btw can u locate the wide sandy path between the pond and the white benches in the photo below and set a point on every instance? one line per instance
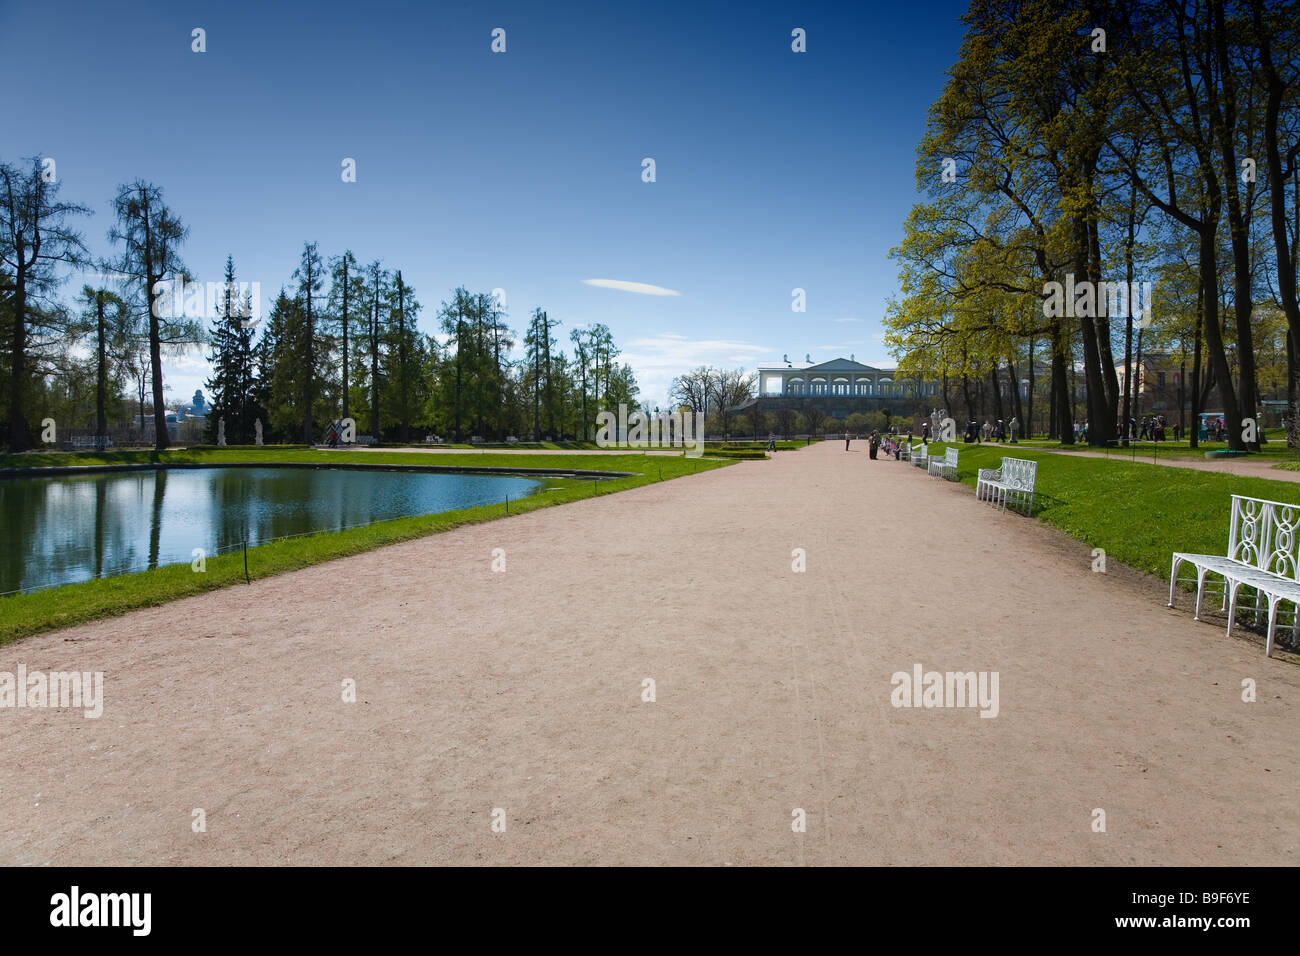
(523, 691)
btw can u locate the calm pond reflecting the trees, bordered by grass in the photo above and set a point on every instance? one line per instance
(73, 529)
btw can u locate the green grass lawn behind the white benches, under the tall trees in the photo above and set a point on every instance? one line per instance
(1139, 513)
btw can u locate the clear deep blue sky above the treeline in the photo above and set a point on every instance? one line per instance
(519, 171)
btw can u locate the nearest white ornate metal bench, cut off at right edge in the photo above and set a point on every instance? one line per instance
(1263, 553)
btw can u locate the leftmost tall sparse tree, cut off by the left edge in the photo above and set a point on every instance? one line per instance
(34, 237)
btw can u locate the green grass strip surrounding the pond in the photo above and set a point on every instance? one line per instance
(73, 604)
